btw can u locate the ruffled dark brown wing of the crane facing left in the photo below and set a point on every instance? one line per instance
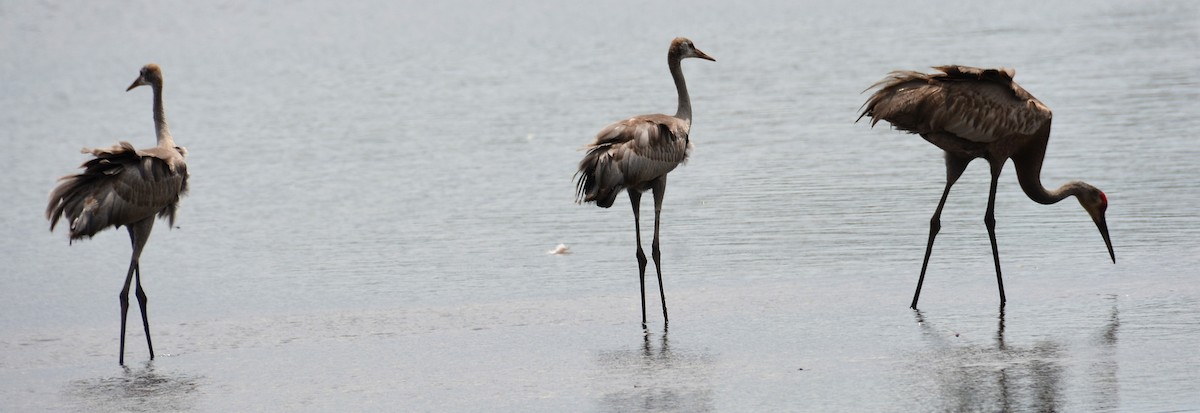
(122, 185)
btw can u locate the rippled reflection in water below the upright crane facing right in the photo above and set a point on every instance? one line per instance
(656, 378)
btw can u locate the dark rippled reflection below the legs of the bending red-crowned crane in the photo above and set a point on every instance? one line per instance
(994, 378)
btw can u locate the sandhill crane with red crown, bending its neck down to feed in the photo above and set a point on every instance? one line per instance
(970, 113)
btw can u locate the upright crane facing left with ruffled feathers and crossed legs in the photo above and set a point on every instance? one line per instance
(127, 187)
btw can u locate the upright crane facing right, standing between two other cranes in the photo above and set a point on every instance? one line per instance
(635, 155)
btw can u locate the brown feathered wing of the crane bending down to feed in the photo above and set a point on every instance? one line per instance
(973, 104)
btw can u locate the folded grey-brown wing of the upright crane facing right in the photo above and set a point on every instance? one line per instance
(632, 152)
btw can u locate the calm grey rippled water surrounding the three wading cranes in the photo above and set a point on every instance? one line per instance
(376, 184)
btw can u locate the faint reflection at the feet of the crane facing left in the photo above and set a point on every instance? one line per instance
(139, 391)
